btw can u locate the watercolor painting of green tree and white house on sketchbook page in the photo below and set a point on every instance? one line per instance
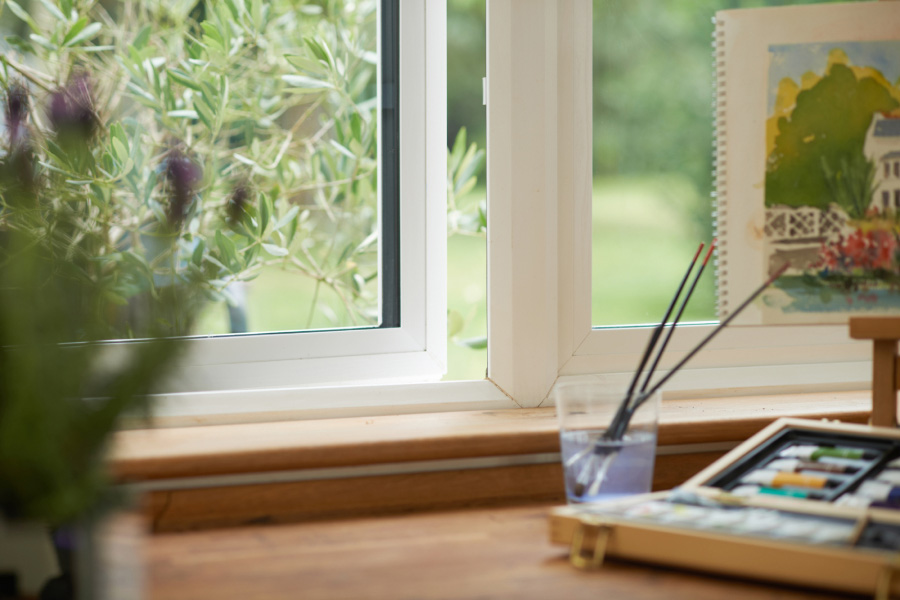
(832, 185)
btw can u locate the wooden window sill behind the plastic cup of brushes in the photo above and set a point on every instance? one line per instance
(264, 472)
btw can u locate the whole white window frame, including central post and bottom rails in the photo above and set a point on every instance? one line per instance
(539, 101)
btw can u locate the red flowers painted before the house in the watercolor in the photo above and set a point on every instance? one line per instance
(861, 252)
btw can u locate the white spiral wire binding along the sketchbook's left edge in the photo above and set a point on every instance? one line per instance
(720, 165)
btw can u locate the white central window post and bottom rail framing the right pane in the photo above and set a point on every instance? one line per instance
(543, 155)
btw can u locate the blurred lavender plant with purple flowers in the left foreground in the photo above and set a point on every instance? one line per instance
(60, 394)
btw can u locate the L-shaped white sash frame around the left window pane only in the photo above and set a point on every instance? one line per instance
(414, 351)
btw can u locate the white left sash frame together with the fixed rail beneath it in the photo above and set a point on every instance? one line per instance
(357, 372)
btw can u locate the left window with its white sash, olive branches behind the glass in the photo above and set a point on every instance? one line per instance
(195, 84)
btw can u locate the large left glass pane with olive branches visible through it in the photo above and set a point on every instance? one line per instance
(247, 133)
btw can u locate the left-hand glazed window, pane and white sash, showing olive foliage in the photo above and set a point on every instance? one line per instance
(265, 140)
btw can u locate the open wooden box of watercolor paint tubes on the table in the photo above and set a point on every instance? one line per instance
(810, 503)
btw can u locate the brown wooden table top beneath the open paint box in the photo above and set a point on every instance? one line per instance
(474, 553)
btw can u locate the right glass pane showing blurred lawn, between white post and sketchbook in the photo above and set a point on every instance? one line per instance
(652, 154)
